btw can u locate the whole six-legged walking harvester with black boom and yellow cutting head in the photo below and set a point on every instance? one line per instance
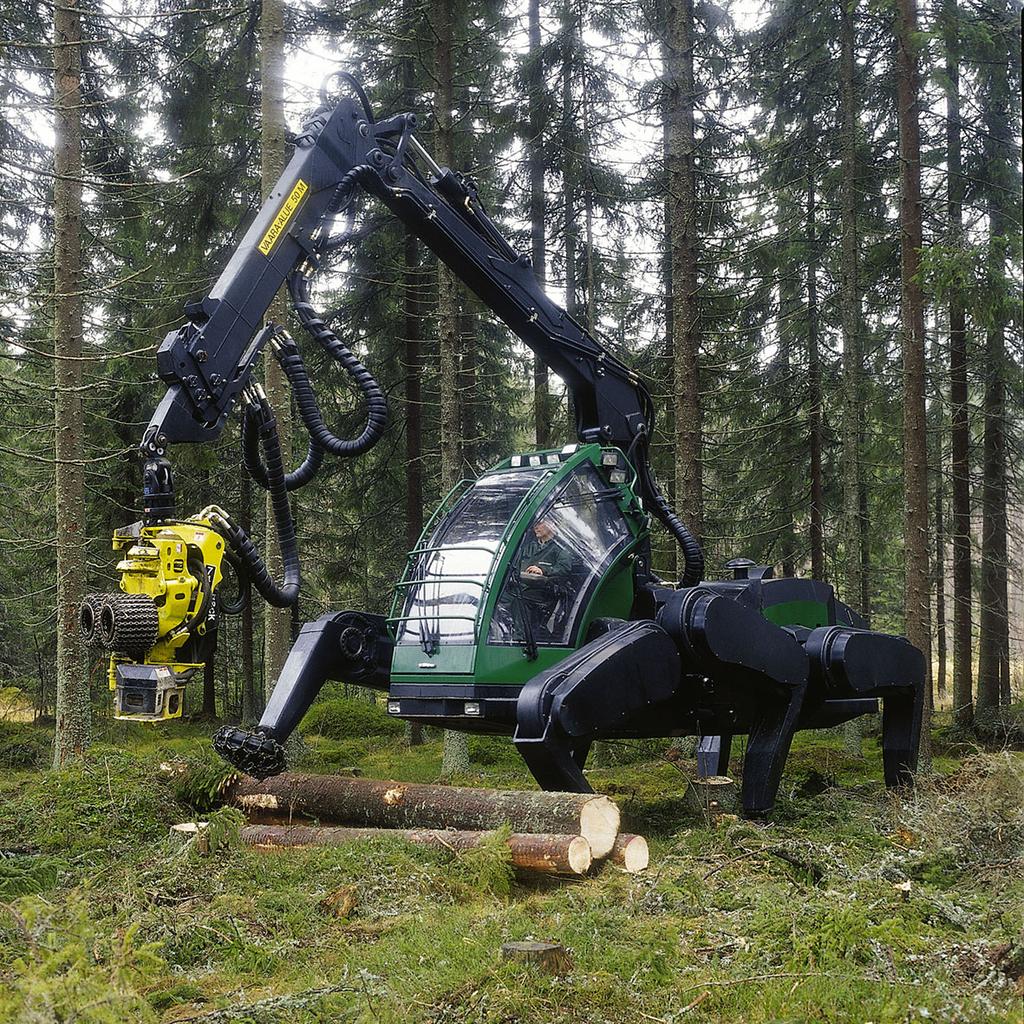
(529, 607)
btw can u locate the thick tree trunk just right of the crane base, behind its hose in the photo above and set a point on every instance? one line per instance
(684, 249)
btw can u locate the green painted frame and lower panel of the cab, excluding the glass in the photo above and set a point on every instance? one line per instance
(507, 664)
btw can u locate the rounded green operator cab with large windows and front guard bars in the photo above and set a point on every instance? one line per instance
(471, 625)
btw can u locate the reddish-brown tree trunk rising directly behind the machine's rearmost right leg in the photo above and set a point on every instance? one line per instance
(916, 547)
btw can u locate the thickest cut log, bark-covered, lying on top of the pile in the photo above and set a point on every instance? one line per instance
(410, 805)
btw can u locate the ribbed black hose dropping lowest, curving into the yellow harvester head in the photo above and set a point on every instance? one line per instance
(287, 593)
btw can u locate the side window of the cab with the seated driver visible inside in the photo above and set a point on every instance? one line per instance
(567, 549)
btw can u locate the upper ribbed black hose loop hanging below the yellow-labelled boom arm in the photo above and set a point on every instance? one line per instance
(291, 362)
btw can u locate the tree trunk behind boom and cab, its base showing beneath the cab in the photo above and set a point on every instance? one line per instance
(455, 758)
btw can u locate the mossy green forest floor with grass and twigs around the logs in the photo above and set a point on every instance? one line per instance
(854, 906)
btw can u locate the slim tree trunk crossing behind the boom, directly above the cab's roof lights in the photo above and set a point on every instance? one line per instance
(538, 228)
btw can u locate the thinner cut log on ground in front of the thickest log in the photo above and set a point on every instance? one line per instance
(547, 854)
